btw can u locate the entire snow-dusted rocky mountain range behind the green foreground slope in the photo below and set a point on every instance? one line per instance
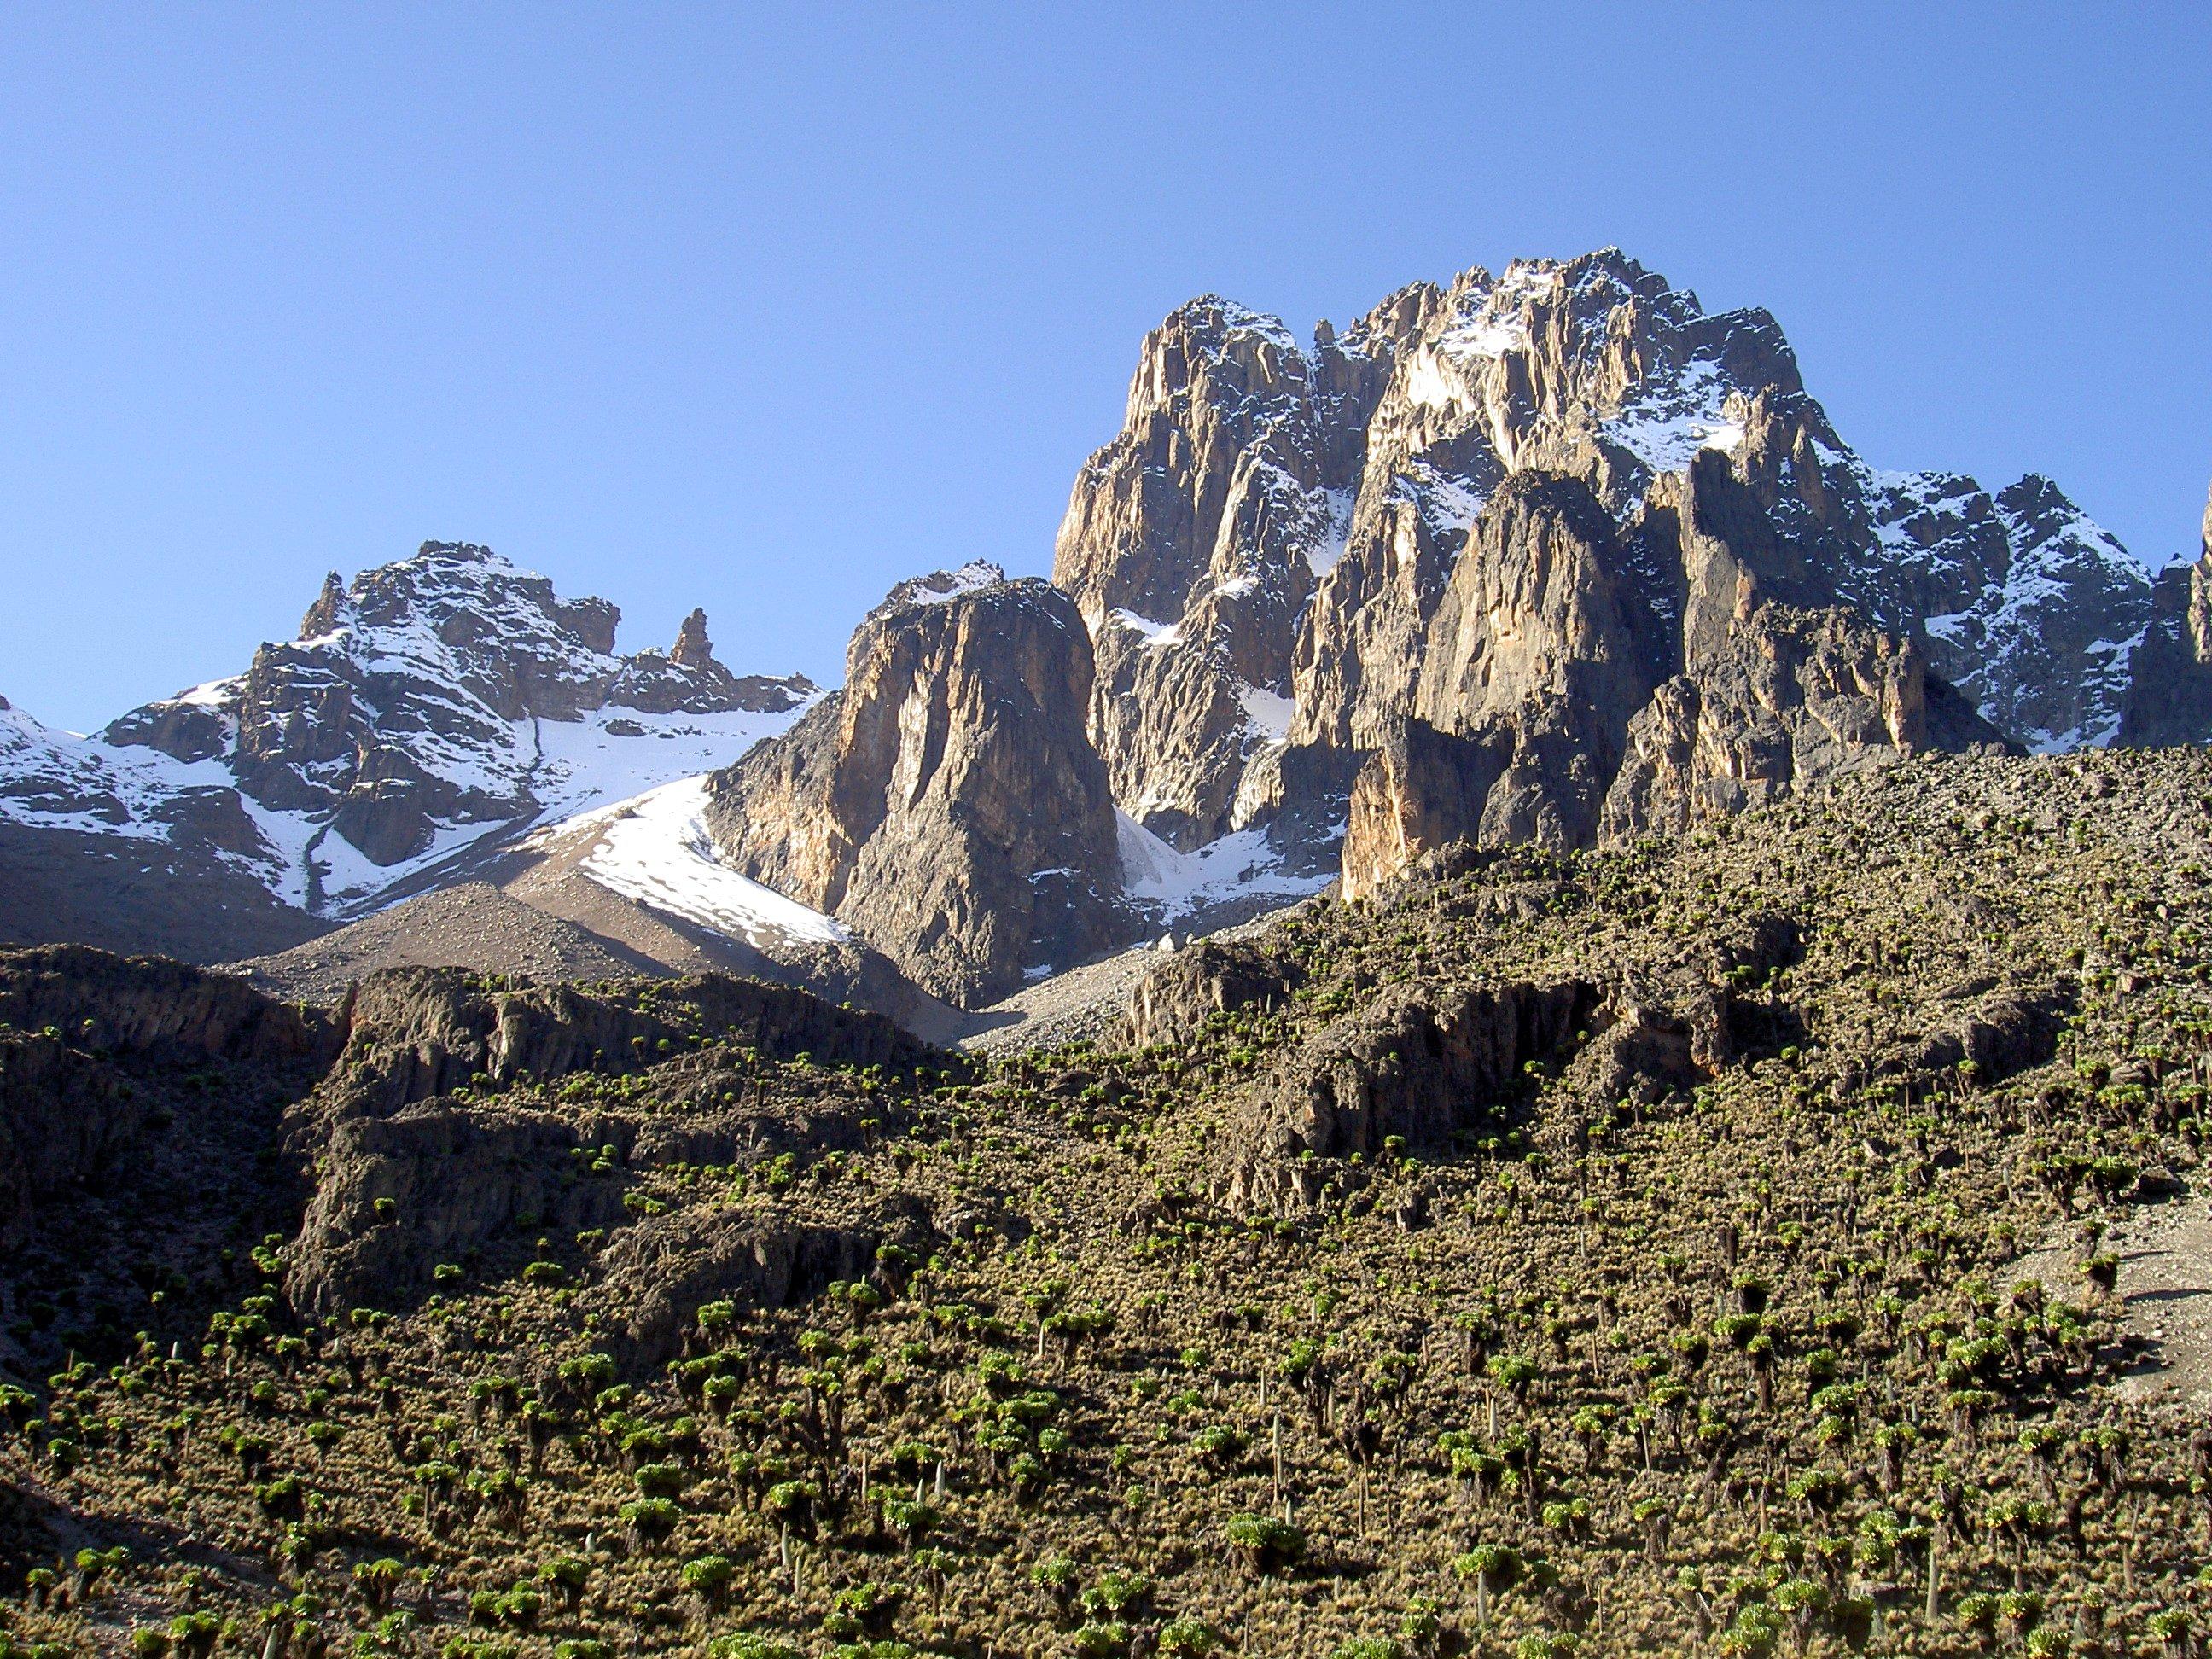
(1552, 556)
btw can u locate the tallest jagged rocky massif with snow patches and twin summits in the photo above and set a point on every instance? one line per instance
(1552, 556)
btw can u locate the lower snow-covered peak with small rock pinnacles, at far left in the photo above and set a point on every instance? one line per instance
(426, 707)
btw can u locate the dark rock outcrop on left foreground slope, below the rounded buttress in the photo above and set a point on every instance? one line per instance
(432, 1145)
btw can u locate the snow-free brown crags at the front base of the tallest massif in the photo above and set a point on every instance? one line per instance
(1558, 705)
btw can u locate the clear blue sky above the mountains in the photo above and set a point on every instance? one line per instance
(766, 309)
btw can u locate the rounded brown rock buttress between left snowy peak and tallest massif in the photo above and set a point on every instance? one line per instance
(946, 804)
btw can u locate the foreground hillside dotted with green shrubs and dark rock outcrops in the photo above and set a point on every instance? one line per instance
(1786, 1238)
